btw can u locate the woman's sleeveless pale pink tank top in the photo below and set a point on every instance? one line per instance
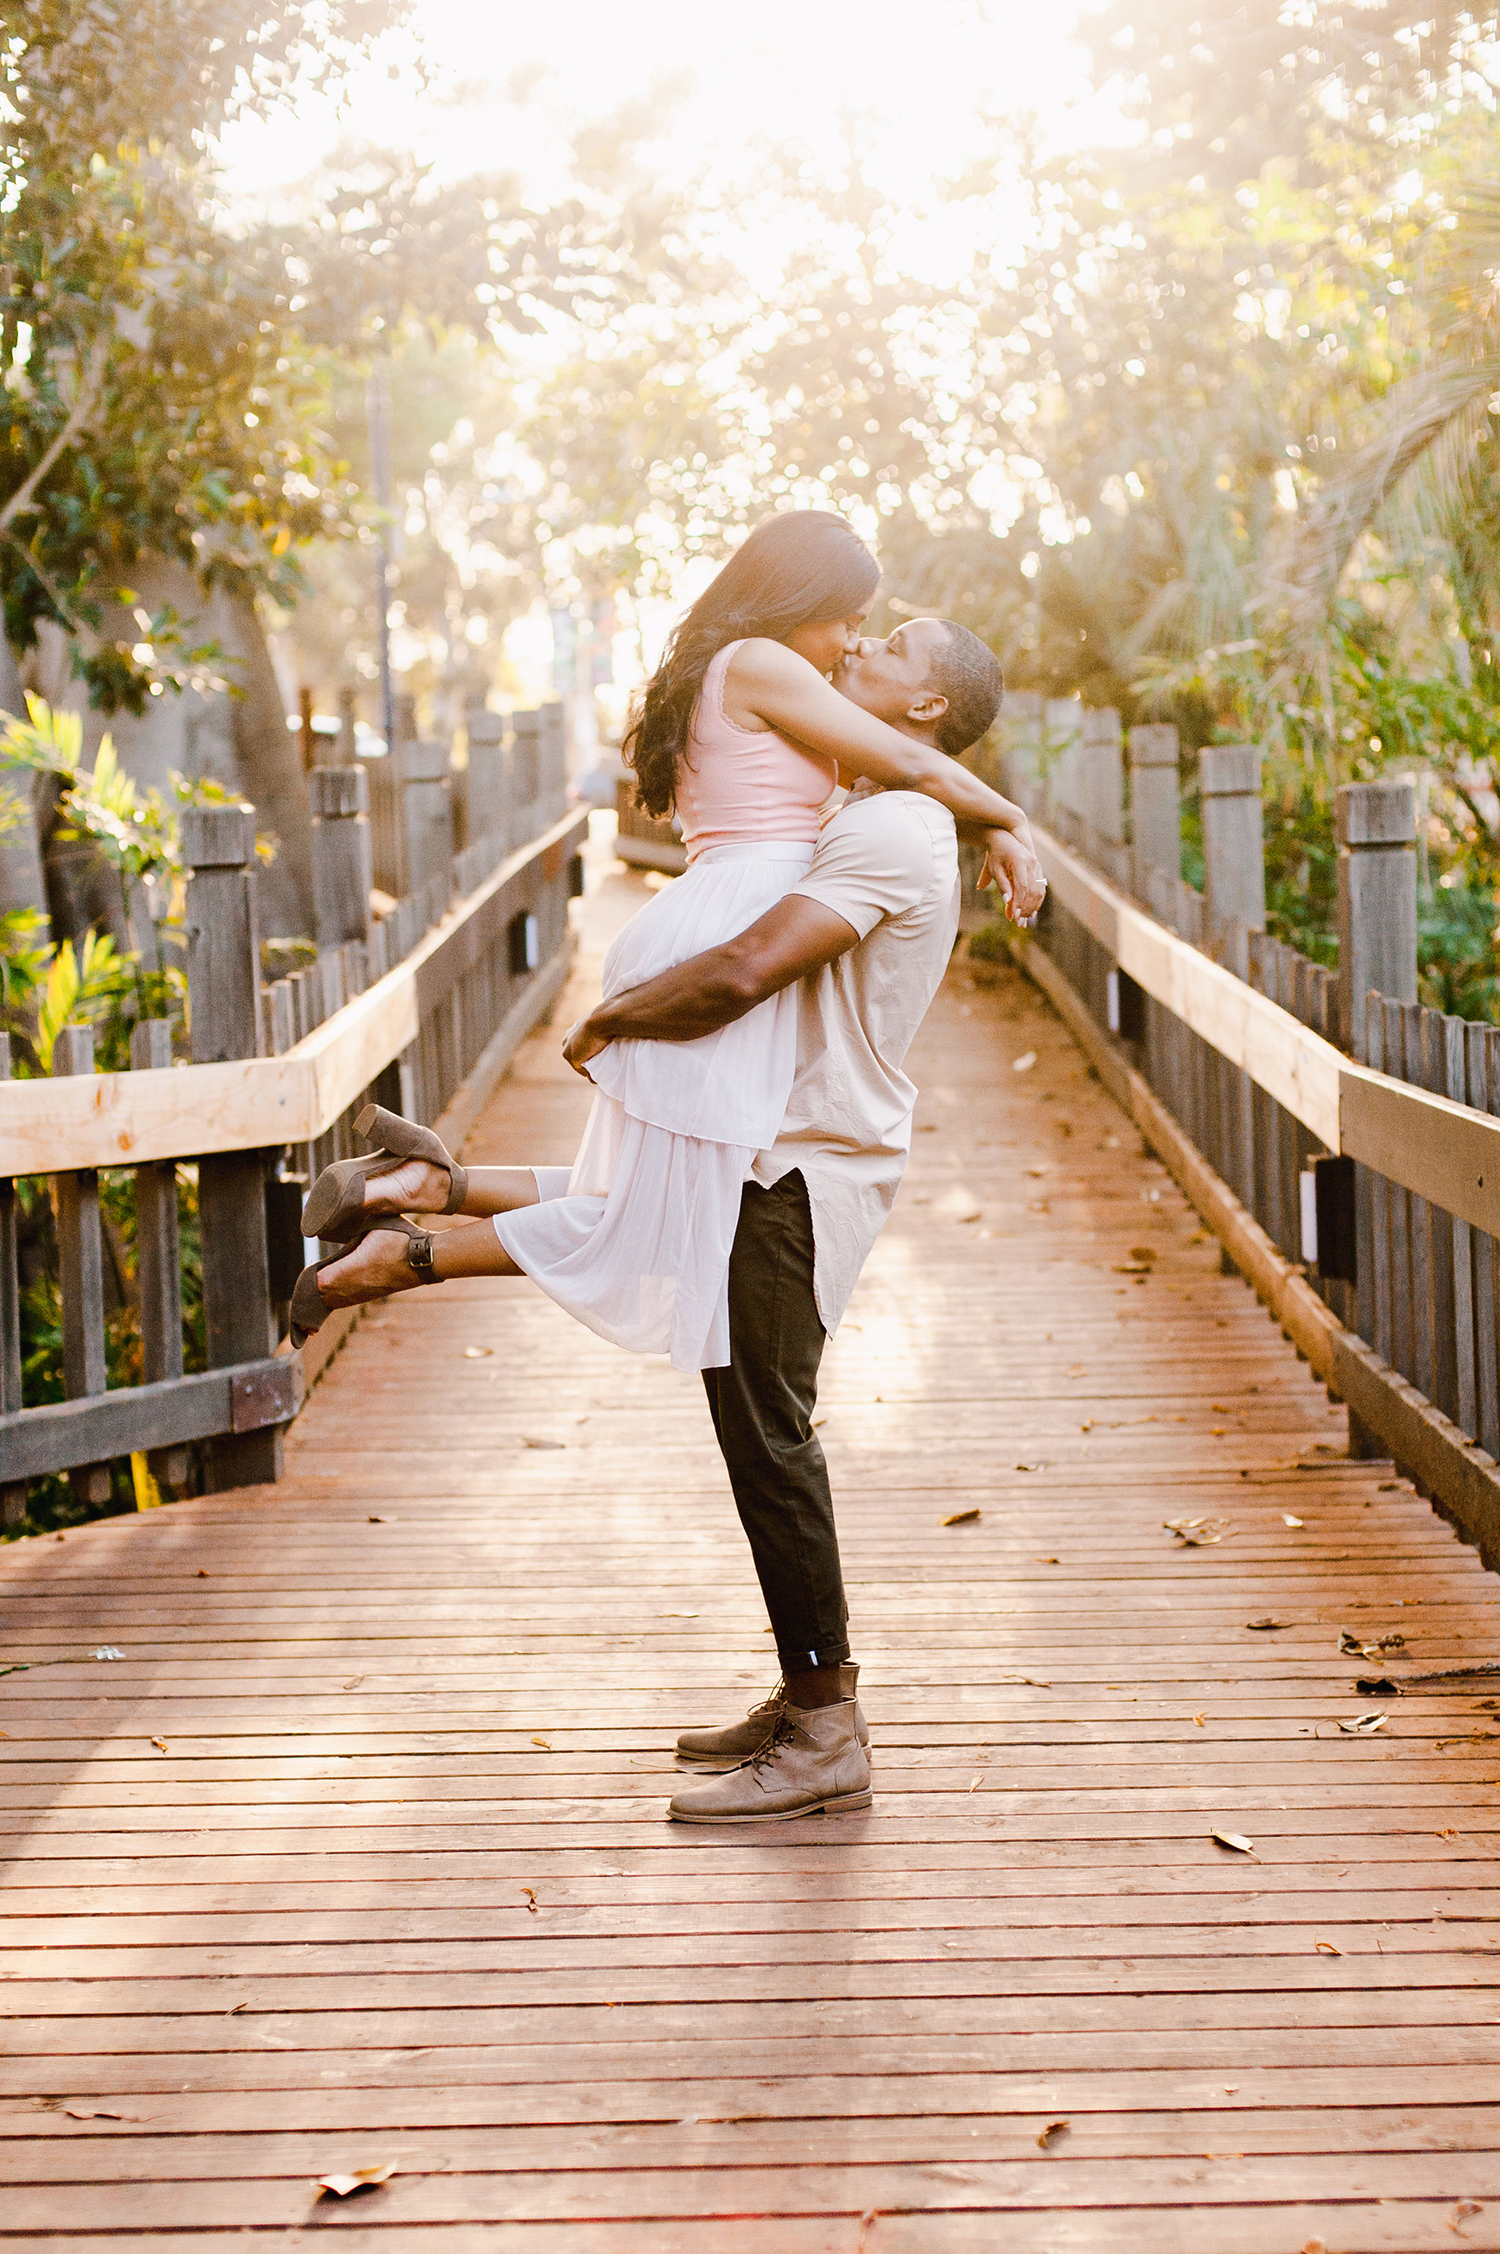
(743, 786)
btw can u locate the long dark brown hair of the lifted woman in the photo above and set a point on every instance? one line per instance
(795, 569)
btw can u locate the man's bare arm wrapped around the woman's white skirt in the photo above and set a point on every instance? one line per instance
(791, 941)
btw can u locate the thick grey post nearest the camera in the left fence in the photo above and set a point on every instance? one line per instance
(227, 1022)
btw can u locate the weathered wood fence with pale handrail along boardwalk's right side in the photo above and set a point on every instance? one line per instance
(1341, 1137)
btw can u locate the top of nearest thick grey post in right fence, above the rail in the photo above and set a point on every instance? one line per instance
(1375, 826)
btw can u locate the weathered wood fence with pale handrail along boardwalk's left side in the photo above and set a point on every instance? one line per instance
(400, 1009)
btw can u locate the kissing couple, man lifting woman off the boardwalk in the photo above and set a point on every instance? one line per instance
(752, 1117)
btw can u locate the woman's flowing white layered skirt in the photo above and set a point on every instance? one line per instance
(639, 1243)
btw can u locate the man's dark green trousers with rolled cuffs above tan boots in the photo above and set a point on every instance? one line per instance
(761, 1412)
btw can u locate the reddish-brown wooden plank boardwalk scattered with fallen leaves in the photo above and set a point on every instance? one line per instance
(355, 1856)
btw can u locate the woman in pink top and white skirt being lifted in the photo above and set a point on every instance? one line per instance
(745, 738)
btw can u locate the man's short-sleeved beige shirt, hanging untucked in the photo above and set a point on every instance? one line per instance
(890, 867)
